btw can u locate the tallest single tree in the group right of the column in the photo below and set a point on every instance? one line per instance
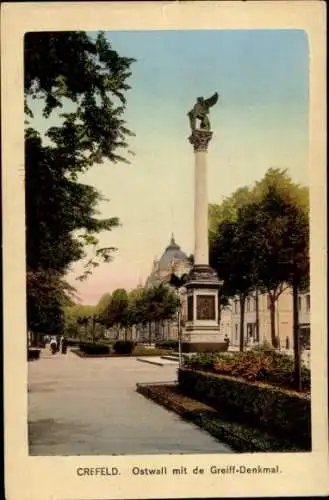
(278, 213)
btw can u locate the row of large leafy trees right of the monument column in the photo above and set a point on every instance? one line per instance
(259, 241)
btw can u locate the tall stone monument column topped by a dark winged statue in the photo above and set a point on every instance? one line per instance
(202, 327)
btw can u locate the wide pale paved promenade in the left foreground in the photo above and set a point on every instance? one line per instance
(90, 407)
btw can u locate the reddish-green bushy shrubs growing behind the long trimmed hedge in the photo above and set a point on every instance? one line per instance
(268, 366)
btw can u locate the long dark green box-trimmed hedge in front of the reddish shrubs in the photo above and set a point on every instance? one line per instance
(284, 413)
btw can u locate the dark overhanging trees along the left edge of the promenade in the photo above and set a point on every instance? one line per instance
(75, 90)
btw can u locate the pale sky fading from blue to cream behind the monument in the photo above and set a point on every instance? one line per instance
(260, 122)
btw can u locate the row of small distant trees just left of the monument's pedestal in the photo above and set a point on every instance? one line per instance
(121, 311)
